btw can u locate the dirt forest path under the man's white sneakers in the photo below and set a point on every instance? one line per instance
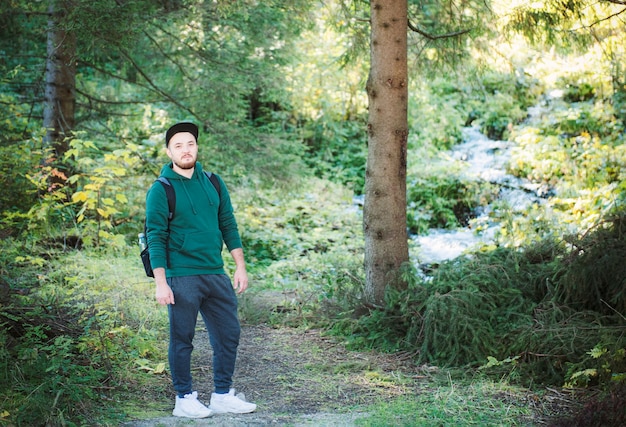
(295, 377)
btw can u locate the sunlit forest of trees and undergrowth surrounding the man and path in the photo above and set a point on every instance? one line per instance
(347, 132)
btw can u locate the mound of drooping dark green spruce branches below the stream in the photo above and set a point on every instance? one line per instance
(532, 314)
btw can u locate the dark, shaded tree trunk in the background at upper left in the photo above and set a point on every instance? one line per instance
(60, 92)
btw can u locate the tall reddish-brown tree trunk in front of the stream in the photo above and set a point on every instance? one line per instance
(384, 212)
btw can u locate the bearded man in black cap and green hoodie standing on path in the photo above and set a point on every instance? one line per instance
(186, 256)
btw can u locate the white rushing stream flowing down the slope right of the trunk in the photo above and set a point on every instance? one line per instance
(484, 160)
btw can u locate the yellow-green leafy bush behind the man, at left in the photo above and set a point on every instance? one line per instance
(86, 208)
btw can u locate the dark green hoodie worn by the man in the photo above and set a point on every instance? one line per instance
(197, 232)
